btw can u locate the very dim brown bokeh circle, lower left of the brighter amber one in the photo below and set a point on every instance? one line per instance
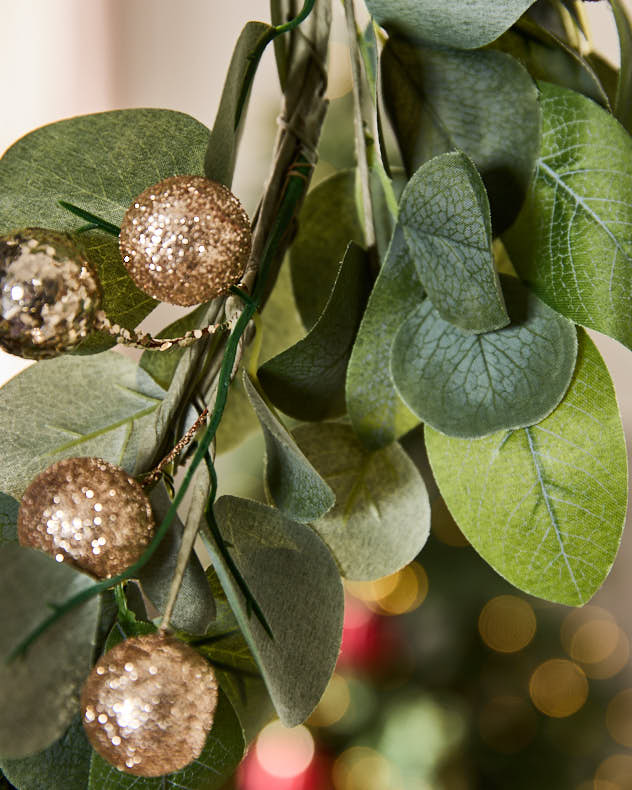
(507, 724)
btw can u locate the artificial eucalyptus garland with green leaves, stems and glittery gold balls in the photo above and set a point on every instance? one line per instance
(443, 276)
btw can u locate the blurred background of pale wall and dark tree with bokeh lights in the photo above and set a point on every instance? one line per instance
(448, 678)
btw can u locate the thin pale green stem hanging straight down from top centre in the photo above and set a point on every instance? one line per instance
(360, 138)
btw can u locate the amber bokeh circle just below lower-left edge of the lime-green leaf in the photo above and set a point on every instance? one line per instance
(507, 623)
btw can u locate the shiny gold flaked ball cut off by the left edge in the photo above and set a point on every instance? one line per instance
(48, 294)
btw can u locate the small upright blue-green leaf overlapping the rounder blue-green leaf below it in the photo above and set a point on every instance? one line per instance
(445, 217)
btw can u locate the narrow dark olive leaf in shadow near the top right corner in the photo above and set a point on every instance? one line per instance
(547, 57)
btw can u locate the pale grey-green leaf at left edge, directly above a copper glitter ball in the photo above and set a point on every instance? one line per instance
(74, 406)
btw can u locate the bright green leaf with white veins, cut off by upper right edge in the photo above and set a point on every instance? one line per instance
(572, 242)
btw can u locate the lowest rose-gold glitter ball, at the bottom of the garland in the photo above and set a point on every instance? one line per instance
(148, 705)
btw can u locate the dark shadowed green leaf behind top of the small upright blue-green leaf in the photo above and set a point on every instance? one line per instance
(483, 103)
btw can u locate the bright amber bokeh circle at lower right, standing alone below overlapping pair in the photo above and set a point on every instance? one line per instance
(558, 688)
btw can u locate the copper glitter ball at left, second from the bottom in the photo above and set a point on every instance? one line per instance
(88, 513)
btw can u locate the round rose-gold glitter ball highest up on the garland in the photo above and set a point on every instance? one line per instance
(185, 240)
